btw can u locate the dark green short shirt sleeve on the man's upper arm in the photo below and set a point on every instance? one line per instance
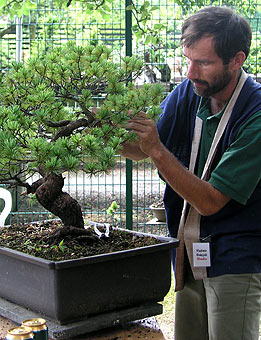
(239, 170)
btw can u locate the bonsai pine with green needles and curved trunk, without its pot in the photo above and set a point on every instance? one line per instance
(49, 122)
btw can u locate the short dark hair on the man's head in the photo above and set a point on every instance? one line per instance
(231, 32)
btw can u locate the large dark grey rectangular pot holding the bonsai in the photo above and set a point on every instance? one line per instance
(73, 290)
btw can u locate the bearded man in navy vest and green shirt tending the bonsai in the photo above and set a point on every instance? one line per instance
(206, 146)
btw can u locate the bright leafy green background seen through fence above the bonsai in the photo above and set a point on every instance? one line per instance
(155, 27)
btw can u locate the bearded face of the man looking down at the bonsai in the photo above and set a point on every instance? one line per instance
(206, 70)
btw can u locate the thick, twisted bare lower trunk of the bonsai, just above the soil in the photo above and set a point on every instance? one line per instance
(49, 194)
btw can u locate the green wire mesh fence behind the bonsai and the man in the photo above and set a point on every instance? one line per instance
(133, 185)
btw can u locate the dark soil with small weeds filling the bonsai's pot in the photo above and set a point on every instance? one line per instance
(34, 239)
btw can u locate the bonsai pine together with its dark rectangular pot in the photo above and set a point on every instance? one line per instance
(48, 126)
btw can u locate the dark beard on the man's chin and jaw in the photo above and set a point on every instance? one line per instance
(211, 89)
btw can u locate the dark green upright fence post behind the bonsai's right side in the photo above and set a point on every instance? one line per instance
(129, 198)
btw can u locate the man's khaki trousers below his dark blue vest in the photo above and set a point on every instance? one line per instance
(226, 307)
